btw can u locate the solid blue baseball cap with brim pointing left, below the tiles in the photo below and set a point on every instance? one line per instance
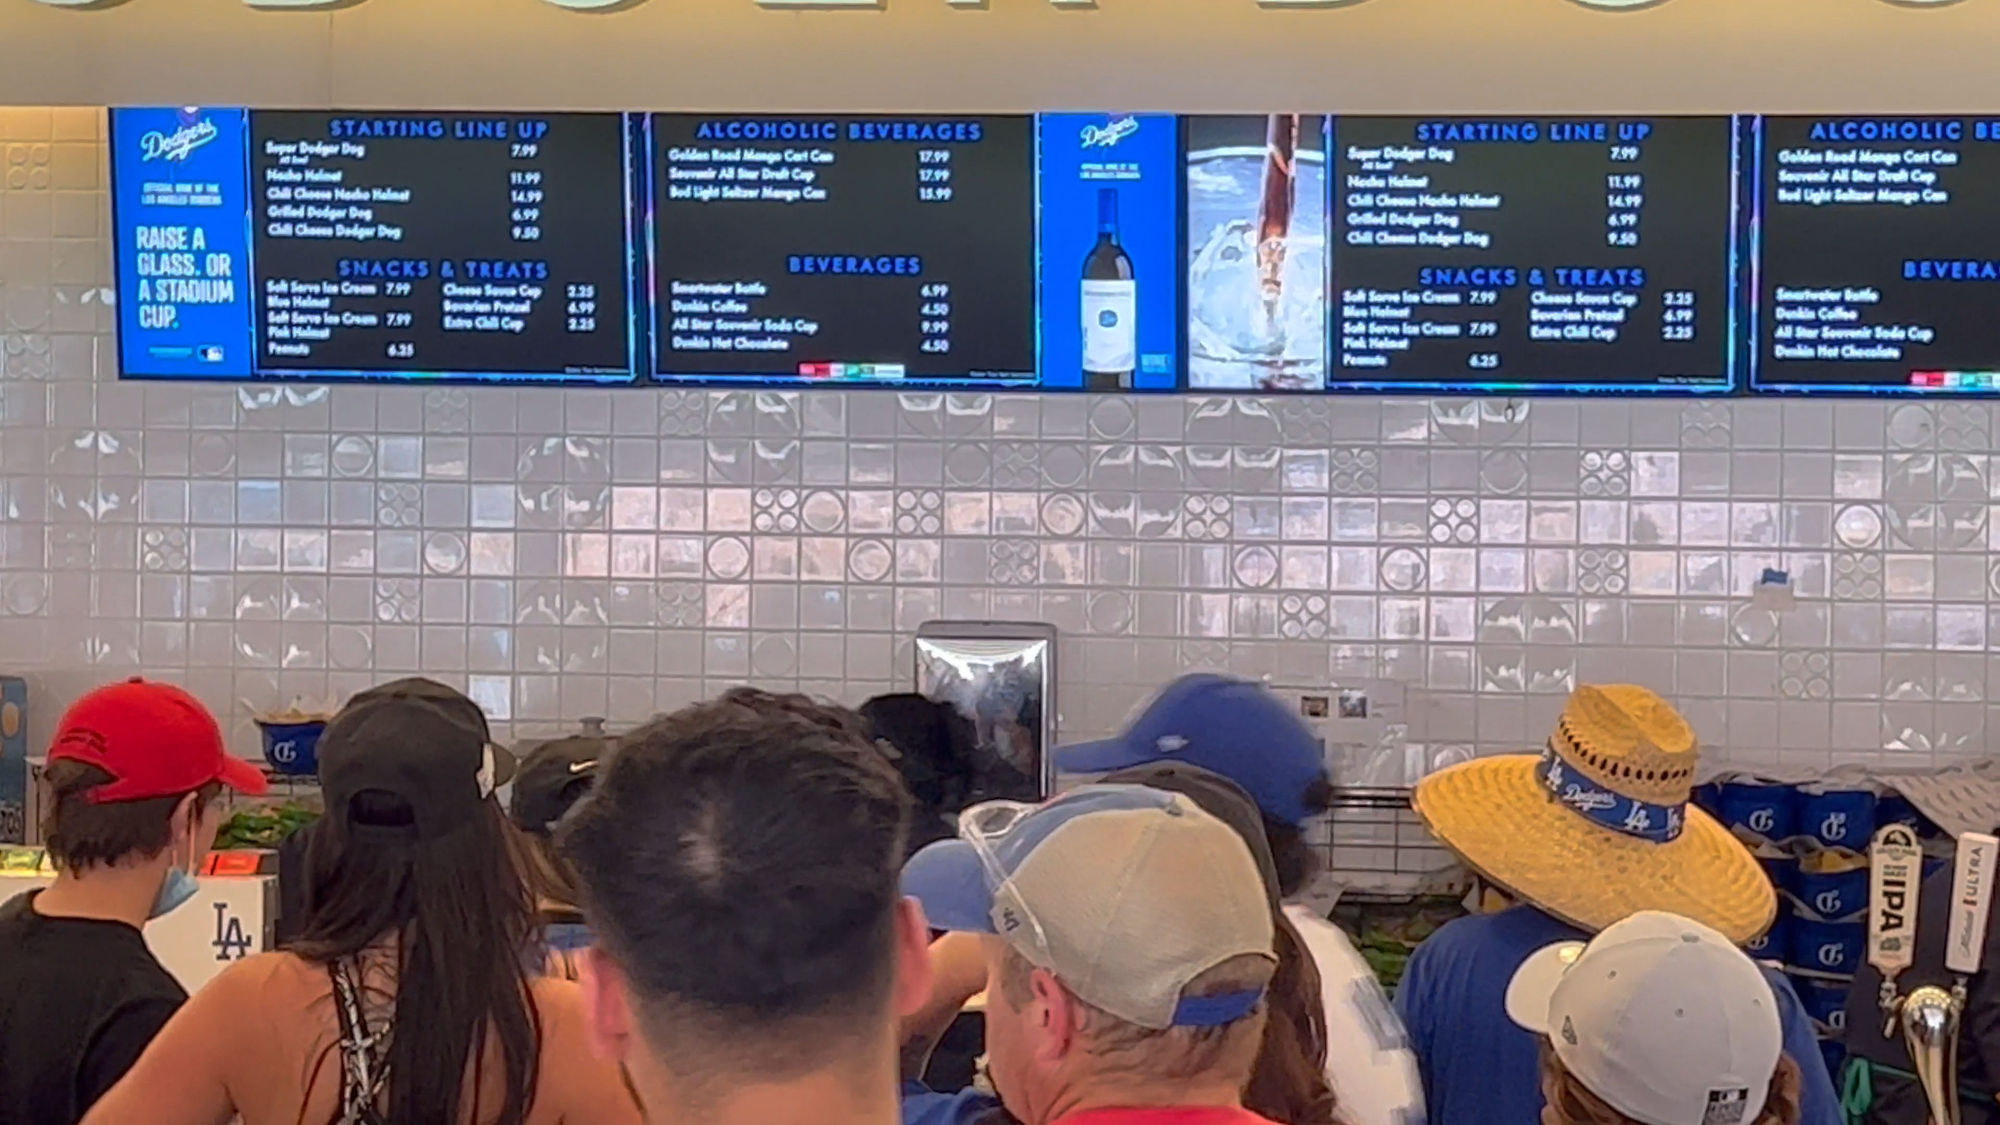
(1223, 726)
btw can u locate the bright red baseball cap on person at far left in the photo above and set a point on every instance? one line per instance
(155, 740)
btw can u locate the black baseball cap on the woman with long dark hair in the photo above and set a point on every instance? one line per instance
(421, 742)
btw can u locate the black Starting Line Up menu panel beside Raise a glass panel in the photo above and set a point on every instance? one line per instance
(405, 243)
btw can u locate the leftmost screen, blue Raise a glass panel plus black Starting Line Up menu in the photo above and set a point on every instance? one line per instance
(325, 245)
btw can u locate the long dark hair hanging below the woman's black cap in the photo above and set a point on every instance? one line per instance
(463, 922)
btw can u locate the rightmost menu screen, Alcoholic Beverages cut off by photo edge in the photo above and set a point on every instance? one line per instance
(1881, 255)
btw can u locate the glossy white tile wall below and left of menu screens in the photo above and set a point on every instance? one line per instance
(573, 553)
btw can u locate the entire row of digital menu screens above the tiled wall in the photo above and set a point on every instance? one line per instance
(1113, 253)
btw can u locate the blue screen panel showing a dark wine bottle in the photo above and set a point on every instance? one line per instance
(1111, 251)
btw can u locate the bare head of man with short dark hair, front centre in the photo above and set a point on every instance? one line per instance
(739, 864)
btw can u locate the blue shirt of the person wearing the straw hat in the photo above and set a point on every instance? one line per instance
(1483, 1070)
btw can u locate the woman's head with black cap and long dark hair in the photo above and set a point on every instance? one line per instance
(417, 856)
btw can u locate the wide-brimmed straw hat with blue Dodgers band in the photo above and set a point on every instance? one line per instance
(1599, 826)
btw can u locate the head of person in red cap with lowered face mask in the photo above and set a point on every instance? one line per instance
(133, 782)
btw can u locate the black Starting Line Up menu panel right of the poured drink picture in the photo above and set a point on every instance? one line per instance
(1535, 253)
